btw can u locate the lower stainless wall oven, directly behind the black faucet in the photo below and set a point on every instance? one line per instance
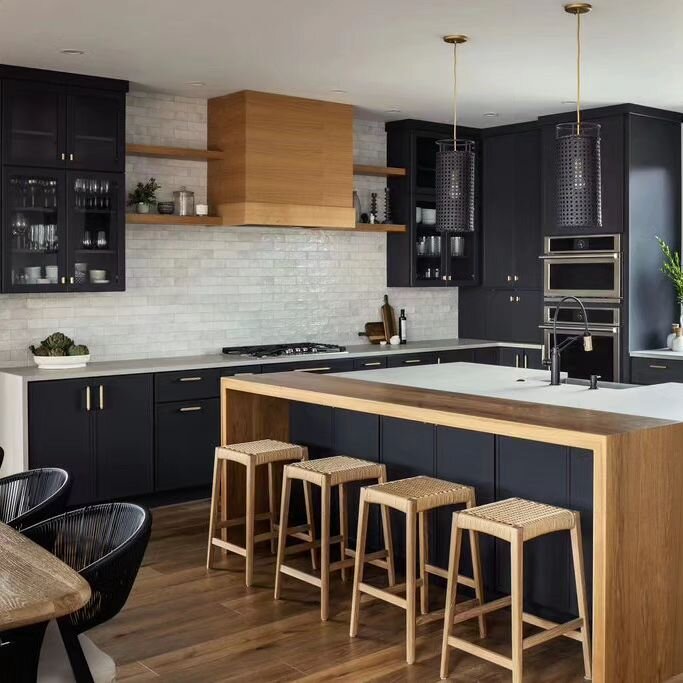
(604, 322)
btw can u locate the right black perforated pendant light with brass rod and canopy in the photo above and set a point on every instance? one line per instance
(579, 198)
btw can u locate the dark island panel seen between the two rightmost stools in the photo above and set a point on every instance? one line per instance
(467, 458)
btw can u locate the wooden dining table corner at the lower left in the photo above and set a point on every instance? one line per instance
(35, 586)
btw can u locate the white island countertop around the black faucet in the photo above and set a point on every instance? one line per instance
(664, 401)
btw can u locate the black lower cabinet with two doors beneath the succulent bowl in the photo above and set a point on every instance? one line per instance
(100, 430)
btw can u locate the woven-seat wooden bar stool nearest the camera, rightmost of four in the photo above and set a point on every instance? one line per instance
(516, 520)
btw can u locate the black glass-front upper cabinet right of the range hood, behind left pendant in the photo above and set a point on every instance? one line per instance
(421, 257)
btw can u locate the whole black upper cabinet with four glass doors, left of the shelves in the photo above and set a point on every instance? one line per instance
(63, 186)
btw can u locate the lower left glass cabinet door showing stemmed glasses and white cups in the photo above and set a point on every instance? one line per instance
(33, 236)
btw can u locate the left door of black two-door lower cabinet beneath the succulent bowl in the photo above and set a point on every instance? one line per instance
(60, 430)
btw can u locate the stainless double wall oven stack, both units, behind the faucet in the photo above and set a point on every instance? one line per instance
(590, 268)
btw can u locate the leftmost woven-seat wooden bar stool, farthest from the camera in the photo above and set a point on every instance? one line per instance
(251, 455)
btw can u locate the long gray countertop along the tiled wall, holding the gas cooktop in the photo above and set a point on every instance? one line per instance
(179, 363)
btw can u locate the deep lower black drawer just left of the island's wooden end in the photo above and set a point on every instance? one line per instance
(187, 433)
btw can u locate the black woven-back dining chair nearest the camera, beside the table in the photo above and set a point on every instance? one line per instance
(105, 544)
